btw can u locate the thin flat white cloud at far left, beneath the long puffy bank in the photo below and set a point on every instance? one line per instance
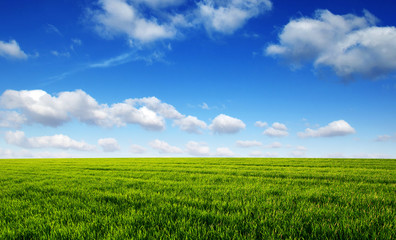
(18, 138)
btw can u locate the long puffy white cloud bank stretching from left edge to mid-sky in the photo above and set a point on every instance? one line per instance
(40, 107)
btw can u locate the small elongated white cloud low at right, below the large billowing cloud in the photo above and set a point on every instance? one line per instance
(333, 129)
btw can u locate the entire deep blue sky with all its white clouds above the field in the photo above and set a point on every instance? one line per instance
(141, 78)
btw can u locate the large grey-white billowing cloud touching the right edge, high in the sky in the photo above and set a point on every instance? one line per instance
(350, 45)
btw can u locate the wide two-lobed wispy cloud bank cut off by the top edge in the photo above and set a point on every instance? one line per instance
(147, 21)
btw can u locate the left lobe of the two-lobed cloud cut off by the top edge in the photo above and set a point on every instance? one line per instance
(120, 17)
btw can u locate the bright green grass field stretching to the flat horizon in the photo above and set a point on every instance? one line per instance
(191, 198)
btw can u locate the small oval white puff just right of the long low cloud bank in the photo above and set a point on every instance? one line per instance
(223, 124)
